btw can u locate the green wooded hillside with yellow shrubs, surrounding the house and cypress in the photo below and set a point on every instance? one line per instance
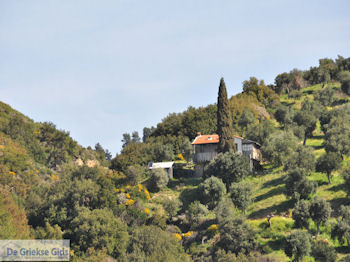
(296, 208)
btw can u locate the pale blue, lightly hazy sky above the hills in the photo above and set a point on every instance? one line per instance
(101, 68)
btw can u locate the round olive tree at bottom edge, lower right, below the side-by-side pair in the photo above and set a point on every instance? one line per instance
(298, 245)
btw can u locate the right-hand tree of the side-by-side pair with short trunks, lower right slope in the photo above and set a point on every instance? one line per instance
(320, 212)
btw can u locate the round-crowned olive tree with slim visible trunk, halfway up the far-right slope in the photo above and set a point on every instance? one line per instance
(327, 163)
